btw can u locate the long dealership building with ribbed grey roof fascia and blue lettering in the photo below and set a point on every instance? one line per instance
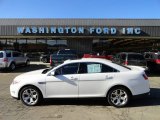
(83, 35)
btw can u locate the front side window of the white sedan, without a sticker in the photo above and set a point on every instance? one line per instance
(67, 69)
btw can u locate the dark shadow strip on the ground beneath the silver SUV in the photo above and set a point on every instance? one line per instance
(22, 69)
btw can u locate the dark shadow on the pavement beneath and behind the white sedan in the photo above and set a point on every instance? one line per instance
(152, 100)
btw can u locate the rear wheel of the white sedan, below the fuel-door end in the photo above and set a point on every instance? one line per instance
(118, 97)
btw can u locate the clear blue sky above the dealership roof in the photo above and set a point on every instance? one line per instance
(79, 8)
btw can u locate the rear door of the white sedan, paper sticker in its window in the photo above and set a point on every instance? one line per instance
(94, 78)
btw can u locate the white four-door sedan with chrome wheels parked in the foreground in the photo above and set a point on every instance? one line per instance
(83, 78)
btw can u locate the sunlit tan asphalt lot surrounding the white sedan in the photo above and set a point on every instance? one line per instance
(76, 109)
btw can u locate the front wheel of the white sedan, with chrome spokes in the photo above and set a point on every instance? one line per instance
(30, 96)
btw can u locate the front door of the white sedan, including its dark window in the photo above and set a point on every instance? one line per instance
(64, 83)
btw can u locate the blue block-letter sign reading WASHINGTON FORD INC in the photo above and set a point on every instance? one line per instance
(79, 30)
